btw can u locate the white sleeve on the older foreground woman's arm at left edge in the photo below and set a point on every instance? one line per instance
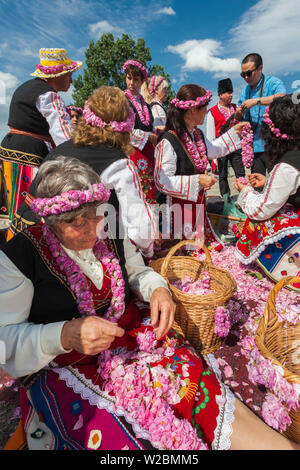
(28, 347)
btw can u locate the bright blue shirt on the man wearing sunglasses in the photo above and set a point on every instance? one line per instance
(255, 114)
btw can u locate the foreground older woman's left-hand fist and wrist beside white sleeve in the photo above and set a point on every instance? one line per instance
(89, 335)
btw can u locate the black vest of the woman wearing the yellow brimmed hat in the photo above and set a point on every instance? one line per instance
(23, 113)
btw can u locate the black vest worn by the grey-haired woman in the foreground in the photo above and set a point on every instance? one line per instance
(53, 299)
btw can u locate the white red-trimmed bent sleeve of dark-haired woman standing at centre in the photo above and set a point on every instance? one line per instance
(166, 180)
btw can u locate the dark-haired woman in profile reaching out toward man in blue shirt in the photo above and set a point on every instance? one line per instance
(182, 156)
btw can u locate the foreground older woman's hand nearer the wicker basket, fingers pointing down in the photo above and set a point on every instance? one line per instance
(162, 311)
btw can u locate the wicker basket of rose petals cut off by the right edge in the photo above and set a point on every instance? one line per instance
(281, 344)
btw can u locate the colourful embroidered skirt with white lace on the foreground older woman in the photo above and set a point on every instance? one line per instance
(69, 407)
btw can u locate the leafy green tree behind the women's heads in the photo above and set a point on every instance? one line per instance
(104, 60)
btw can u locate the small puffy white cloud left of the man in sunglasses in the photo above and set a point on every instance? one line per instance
(205, 55)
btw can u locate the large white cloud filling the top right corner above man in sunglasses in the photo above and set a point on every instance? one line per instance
(271, 28)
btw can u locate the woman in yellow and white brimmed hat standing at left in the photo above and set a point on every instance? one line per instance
(38, 121)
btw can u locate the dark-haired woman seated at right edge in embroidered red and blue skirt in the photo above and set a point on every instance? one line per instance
(271, 234)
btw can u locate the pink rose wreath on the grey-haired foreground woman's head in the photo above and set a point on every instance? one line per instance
(69, 200)
